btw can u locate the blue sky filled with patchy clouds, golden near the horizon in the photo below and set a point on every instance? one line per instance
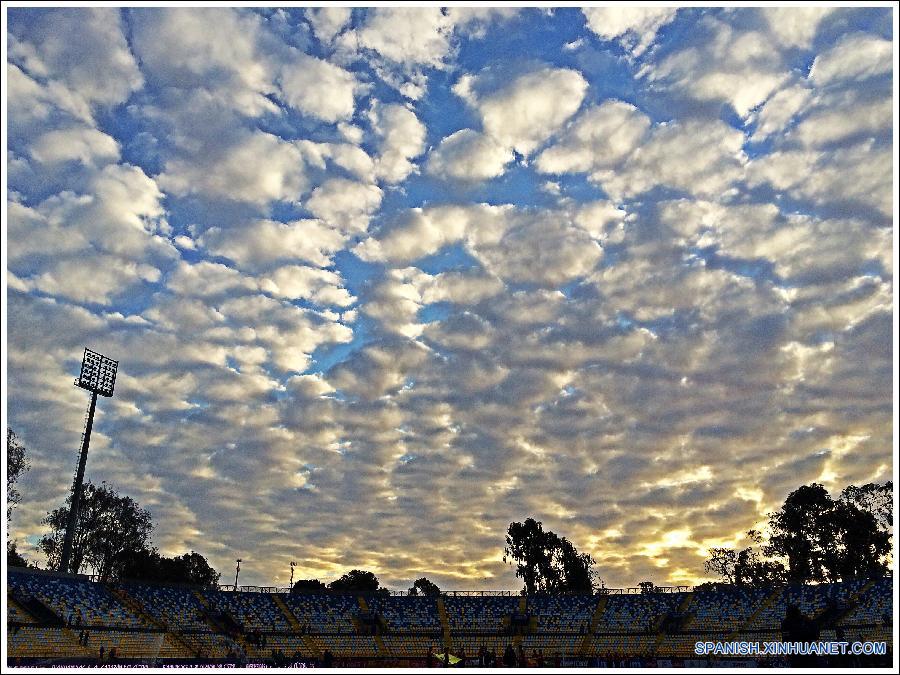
(382, 281)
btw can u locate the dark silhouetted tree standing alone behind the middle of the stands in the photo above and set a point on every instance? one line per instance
(546, 562)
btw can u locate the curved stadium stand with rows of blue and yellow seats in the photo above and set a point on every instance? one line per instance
(56, 619)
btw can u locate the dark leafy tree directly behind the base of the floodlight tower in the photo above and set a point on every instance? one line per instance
(109, 526)
